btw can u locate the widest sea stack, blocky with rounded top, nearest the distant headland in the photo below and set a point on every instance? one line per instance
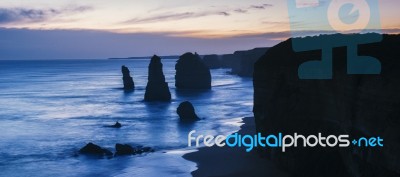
(192, 73)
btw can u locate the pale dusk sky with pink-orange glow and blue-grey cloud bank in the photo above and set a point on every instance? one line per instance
(86, 29)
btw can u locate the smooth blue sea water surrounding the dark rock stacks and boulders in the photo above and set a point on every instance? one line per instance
(49, 109)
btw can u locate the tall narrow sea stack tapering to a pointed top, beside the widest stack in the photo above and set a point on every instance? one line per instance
(156, 89)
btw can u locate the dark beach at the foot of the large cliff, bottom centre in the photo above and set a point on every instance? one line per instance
(226, 161)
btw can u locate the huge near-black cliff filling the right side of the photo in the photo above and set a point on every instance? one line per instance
(358, 105)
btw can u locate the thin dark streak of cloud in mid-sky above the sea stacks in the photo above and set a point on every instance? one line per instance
(175, 16)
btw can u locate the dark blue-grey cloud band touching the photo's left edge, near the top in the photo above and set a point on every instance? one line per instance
(12, 15)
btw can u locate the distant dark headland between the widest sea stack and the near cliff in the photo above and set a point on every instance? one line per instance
(241, 62)
